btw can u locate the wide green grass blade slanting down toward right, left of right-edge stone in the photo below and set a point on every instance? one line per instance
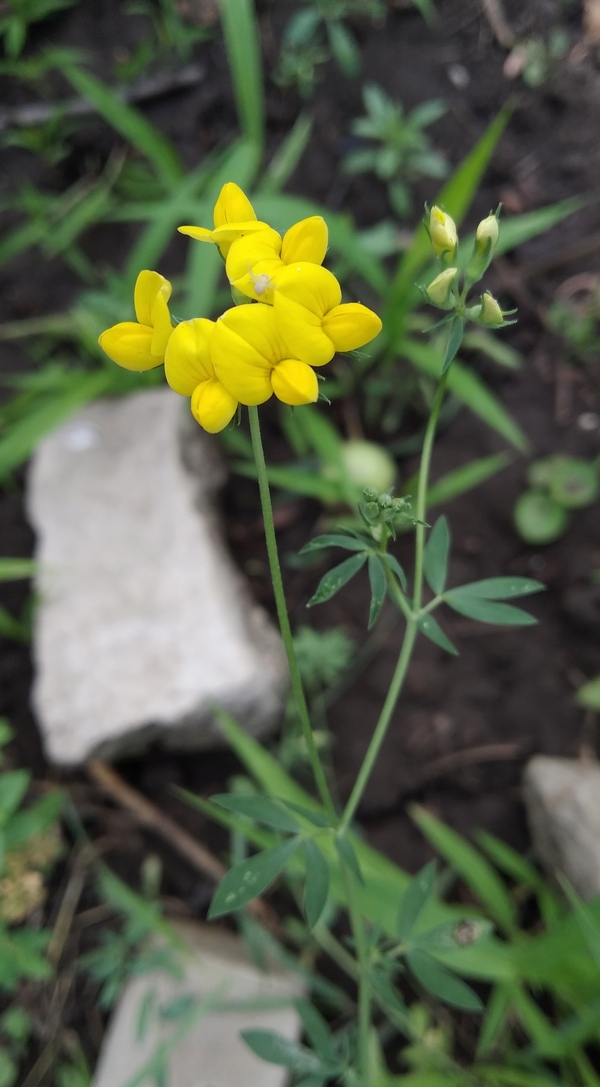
(473, 869)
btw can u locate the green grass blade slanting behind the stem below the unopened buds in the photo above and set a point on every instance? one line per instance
(472, 391)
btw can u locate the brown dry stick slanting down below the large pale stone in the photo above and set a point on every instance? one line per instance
(149, 816)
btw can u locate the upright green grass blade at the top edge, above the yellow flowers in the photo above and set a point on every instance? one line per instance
(241, 32)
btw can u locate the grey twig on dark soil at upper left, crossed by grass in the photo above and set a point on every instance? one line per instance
(153, 86)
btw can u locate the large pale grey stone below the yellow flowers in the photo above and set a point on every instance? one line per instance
(144, 623)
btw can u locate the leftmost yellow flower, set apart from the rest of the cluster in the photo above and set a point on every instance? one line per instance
(142, 346)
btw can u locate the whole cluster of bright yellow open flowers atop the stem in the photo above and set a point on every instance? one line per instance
(296, 320)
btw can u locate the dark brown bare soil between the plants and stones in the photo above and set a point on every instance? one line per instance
(467, 726)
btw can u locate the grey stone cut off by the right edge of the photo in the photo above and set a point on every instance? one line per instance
(562, 797)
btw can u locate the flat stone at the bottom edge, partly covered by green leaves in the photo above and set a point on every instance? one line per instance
(211, 1054)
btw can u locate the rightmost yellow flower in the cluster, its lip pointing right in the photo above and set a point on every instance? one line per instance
(312, 319)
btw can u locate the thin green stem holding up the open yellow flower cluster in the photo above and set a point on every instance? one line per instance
(283, 615)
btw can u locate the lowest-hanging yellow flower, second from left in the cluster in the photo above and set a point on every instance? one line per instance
(190, 372)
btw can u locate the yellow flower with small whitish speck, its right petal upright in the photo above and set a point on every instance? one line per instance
(254, 263)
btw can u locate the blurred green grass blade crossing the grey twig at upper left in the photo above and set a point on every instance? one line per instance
(129, 122)
